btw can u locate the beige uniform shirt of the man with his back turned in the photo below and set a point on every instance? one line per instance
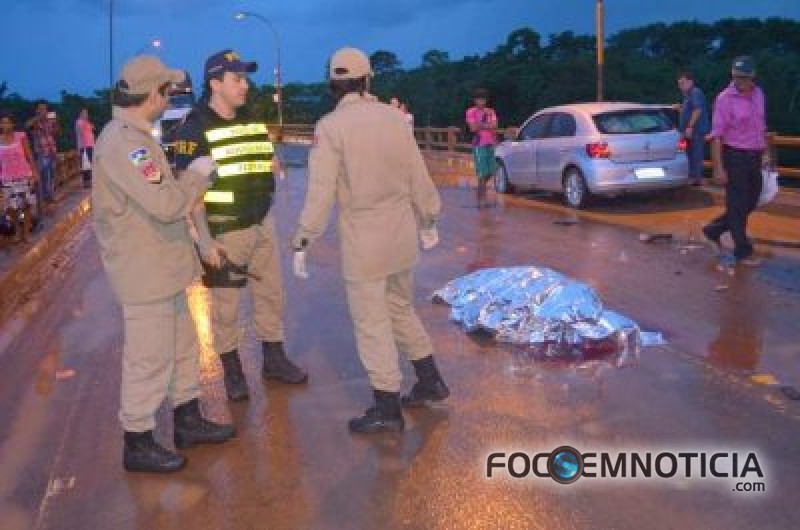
(365, 158)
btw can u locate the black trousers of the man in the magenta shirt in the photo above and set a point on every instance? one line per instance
(741, 198)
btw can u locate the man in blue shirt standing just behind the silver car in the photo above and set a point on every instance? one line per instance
(694, 125)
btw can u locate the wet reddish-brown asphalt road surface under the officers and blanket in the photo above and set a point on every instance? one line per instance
(294, 465)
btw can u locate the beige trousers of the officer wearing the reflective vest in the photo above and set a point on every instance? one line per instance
(256, 247)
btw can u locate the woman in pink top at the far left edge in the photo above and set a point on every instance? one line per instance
(18, 175)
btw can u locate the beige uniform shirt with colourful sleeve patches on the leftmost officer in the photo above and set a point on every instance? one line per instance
(140, 213)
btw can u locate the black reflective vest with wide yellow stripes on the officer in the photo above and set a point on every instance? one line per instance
(242, 195)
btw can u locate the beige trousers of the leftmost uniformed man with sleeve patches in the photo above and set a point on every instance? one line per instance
(160, 359)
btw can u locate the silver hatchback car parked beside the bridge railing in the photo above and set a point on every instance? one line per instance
(594, 148)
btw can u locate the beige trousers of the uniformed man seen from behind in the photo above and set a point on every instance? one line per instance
(384, 322)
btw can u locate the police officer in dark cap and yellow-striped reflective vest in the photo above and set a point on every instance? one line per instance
(240, 231)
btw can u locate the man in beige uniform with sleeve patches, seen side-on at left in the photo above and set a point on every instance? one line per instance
(140, 221)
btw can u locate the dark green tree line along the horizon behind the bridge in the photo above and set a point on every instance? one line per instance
(526, 73)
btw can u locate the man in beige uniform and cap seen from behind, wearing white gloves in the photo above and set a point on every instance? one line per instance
(365, 157)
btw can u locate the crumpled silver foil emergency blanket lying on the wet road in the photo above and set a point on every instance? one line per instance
(555, 317)
